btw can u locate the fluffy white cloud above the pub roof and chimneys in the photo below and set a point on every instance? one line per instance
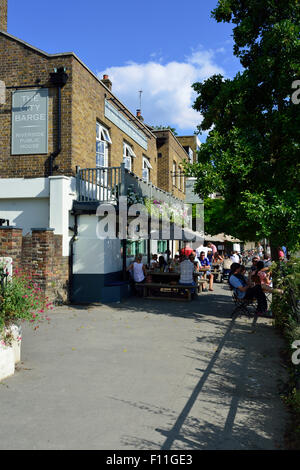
(167, 96)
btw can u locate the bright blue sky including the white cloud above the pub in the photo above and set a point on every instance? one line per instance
(160, 47)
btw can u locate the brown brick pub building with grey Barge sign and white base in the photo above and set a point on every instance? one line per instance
(66, 144)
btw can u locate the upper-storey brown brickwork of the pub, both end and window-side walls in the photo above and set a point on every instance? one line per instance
(82, 105)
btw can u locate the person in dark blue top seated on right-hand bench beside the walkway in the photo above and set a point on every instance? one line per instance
(246, 292)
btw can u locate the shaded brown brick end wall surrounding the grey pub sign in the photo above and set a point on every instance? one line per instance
(21, 65)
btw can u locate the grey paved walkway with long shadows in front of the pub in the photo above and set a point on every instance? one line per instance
(146, 374)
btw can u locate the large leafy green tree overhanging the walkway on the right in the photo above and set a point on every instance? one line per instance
(251, 155)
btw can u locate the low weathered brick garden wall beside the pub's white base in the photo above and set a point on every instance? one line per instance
(38, 254)
